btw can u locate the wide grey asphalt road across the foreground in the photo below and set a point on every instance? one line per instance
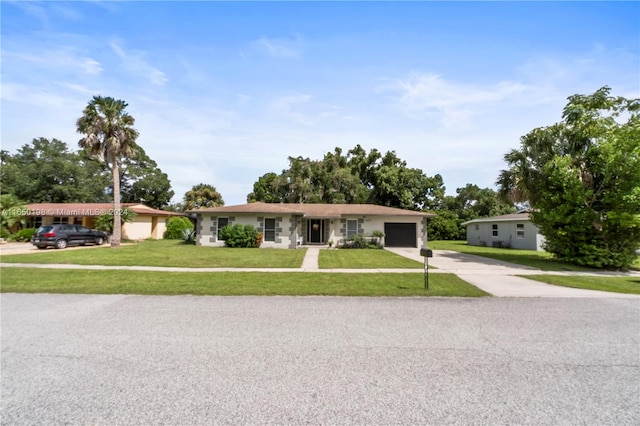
(139, 360)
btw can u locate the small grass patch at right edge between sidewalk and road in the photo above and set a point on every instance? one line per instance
(630, 285)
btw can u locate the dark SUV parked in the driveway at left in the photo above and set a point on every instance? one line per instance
(61, 236)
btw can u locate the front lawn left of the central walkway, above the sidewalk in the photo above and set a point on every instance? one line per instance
(166, 253)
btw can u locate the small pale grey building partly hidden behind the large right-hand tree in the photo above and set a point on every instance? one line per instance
(509, 230)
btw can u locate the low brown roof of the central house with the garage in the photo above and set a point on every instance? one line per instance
(313, 210)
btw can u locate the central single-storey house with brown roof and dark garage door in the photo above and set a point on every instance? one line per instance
(288, 225)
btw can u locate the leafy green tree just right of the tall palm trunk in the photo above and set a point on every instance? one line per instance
(143, 182)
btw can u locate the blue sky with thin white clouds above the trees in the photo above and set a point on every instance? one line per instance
(224, 92)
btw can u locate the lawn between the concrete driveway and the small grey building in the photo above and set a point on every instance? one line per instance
(535, 259)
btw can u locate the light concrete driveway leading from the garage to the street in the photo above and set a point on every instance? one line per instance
(501, 278)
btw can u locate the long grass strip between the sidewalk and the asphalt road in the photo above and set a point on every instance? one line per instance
(26, 280)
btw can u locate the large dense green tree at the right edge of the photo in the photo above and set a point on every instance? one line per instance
(582, 178)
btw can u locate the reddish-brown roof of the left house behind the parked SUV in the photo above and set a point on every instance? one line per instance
(90, 209)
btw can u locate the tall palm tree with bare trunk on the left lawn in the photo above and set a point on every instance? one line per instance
(109, 135)
